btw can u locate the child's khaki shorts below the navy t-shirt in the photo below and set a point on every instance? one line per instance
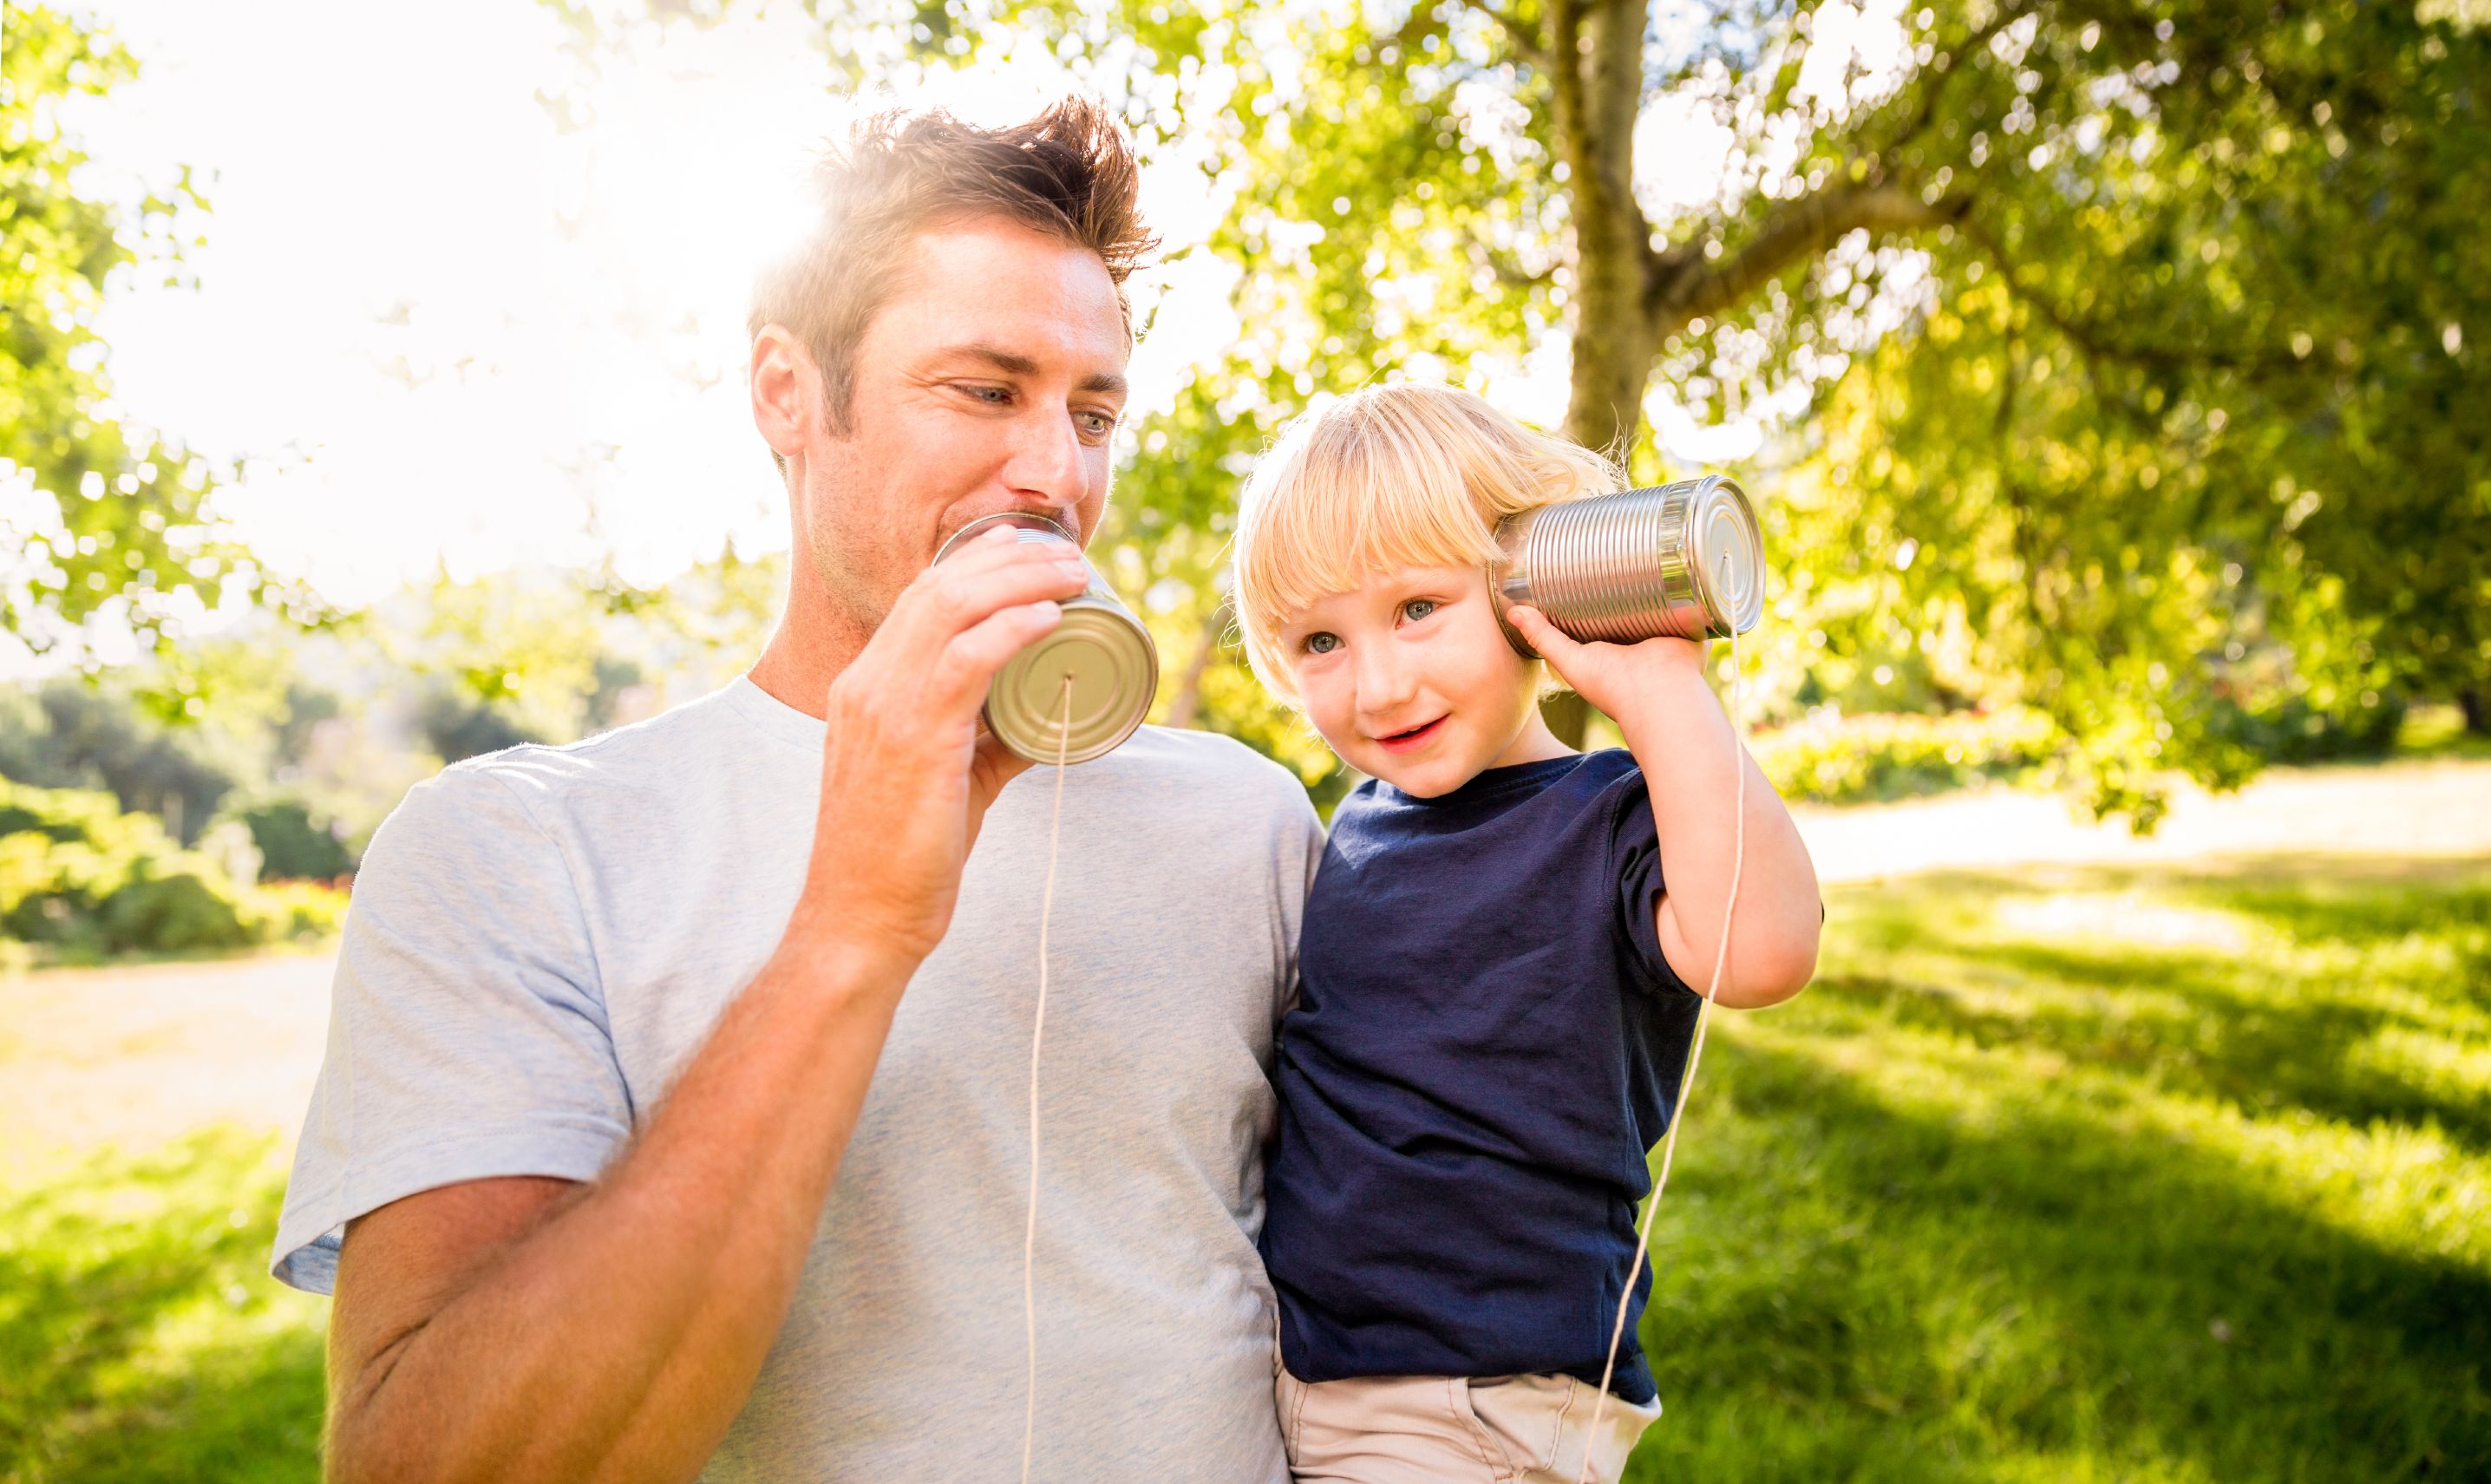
(1453, 1430)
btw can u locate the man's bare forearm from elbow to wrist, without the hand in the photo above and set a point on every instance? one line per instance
(622, 1336)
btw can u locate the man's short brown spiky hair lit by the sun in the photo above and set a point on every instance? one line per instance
(900, 173)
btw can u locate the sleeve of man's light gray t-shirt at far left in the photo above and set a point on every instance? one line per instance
(467, 1032)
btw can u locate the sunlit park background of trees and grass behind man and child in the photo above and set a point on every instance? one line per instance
(2111, 377)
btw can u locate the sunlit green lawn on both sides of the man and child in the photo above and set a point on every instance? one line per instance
(2054, 1179)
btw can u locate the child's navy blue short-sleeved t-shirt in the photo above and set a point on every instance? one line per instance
(1483, 1052)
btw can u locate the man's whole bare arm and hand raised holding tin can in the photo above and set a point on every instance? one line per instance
(534, 1331)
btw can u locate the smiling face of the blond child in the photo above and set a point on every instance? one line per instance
(1411, 679)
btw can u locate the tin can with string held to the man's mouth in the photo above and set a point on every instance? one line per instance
(1100, 646)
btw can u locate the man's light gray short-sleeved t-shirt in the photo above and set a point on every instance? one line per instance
(544, 937)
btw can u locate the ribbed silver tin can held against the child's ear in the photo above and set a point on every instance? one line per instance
(1680, 559)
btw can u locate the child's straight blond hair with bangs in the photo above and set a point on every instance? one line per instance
(1381, 479)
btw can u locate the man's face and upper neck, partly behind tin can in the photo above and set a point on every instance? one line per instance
(988, 382)
